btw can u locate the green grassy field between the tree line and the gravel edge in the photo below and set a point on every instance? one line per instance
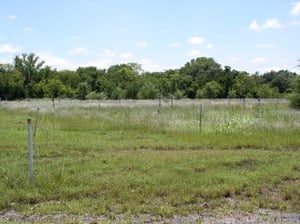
(123, 157)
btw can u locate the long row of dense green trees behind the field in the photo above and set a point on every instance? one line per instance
(29, 77)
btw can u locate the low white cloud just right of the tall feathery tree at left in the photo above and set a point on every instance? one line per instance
(57, 62)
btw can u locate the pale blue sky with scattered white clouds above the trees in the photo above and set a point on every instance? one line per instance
(247, 35)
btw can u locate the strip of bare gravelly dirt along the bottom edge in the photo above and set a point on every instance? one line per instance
(260, 216)
